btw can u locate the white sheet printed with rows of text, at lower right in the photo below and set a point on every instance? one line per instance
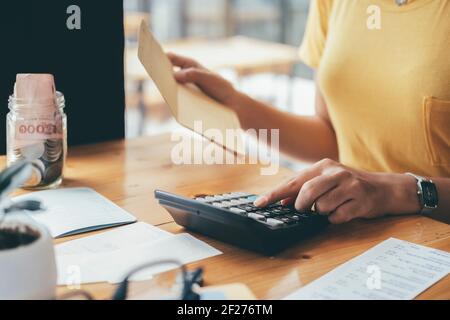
(392, 270)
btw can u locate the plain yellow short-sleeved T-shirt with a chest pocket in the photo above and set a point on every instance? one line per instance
(384, 71)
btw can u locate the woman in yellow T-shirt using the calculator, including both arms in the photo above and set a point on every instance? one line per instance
(383, 109)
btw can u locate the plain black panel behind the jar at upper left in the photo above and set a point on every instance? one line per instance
(87, 63)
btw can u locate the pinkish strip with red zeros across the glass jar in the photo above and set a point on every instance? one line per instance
(38, 129)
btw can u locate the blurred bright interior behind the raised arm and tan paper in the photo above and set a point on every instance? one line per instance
(253, 43)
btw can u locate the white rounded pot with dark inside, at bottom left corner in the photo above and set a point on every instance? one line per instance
(28, 272)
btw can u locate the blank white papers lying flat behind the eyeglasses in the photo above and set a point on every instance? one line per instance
(107, 257)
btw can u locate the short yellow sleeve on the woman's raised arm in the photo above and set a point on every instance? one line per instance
(316, 33)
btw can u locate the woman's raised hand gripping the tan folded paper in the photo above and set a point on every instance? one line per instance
(210, 83)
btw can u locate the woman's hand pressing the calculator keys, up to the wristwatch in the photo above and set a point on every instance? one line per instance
(345, 194)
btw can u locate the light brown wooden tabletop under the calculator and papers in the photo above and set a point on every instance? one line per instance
(127, 172)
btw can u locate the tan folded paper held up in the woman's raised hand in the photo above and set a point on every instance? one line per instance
(186, 102)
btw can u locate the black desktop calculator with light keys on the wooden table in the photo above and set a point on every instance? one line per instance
(233, 218)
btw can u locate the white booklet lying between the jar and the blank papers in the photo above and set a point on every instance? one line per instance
(78, 210)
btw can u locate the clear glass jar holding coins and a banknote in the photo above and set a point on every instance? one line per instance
(37, 132)
